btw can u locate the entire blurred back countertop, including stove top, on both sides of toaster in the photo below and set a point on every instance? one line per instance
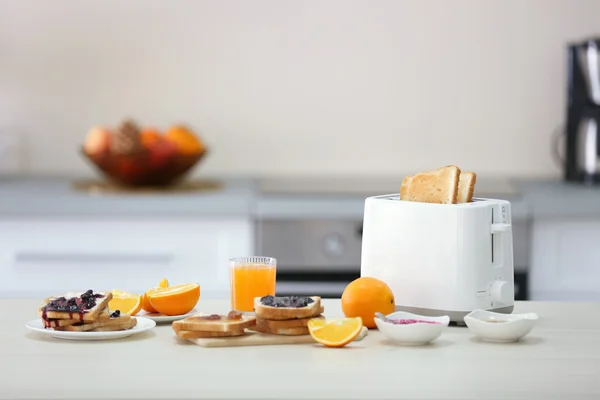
(277, 198)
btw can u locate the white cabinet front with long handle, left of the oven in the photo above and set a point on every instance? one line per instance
(40, 257)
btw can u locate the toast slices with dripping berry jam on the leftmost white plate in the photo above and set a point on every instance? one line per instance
(83, 312)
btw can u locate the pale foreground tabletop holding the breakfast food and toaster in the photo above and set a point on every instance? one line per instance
(559, 359)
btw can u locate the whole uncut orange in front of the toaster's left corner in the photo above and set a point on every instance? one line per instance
(365, 296)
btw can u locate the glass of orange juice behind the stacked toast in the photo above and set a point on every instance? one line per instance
(251, 277)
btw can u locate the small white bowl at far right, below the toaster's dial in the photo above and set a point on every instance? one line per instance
(497, 327)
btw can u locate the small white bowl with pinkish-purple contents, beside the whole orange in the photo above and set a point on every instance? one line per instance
(415, 333)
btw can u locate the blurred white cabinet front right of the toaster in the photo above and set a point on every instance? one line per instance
(565, 260)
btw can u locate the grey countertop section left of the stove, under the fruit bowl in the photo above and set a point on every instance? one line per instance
(57, 196)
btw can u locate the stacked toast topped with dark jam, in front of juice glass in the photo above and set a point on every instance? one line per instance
(286, 315)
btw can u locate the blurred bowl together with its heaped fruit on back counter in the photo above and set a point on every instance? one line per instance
(135, 156)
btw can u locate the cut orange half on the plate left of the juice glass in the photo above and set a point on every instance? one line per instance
(174, 300)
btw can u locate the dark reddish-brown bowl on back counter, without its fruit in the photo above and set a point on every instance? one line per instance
(144, 169)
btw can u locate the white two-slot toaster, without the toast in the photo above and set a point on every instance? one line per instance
(441, 259)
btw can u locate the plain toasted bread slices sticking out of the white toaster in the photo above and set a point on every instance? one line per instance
(446, 185)
